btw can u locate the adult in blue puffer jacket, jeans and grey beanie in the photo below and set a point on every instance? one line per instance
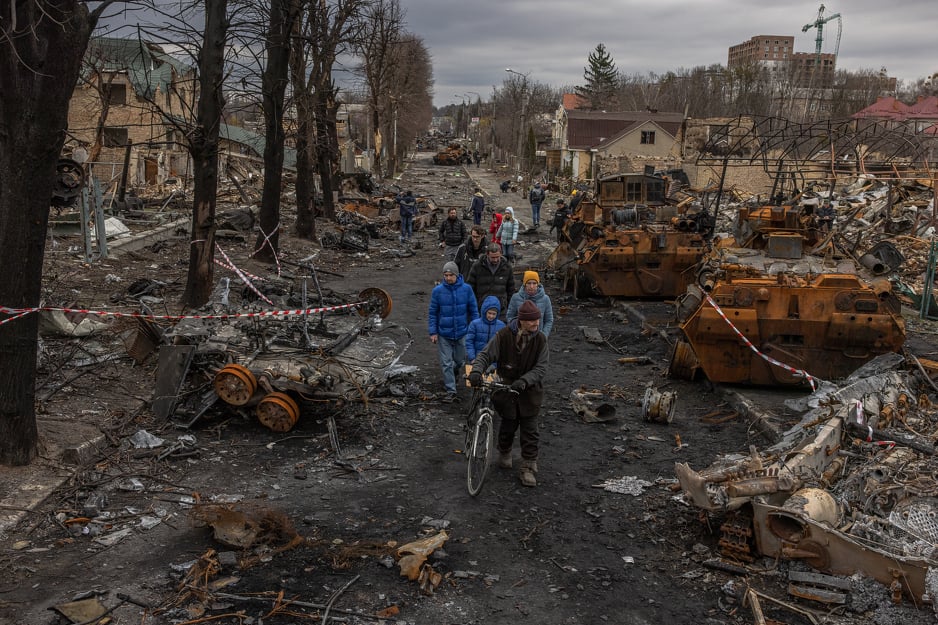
(452, 308)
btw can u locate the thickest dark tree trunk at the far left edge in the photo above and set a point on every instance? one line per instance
(39, 66)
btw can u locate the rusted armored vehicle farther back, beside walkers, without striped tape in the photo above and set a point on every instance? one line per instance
(630, 242)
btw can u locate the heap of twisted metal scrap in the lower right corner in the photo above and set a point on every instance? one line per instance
(853, 488)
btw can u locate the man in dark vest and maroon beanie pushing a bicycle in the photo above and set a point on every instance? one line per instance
(520, 350)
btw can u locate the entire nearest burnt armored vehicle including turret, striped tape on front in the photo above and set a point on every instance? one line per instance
(772, 314)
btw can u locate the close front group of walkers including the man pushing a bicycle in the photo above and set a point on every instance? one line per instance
(464, 323)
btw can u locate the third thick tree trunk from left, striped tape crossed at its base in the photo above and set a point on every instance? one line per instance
(283, 14)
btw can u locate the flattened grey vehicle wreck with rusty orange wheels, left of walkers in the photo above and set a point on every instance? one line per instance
(276, 363)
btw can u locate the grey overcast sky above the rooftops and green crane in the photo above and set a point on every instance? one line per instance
(472, 42)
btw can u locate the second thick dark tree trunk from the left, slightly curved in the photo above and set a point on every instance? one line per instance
(204, 150)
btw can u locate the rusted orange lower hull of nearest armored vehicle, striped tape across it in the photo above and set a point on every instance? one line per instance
(774, 329)
